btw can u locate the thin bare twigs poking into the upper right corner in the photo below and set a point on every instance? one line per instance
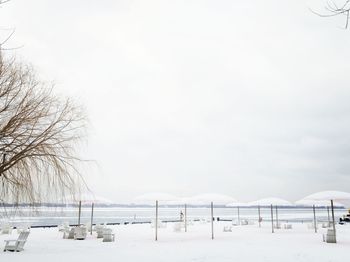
(334, 8)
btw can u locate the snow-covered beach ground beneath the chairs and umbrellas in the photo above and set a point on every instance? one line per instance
(136, 243)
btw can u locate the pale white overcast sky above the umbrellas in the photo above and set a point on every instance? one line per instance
(245, 98)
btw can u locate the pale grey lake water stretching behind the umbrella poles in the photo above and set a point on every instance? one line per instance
(58, 215)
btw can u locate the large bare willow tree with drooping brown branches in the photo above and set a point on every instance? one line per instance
(39, 135)
